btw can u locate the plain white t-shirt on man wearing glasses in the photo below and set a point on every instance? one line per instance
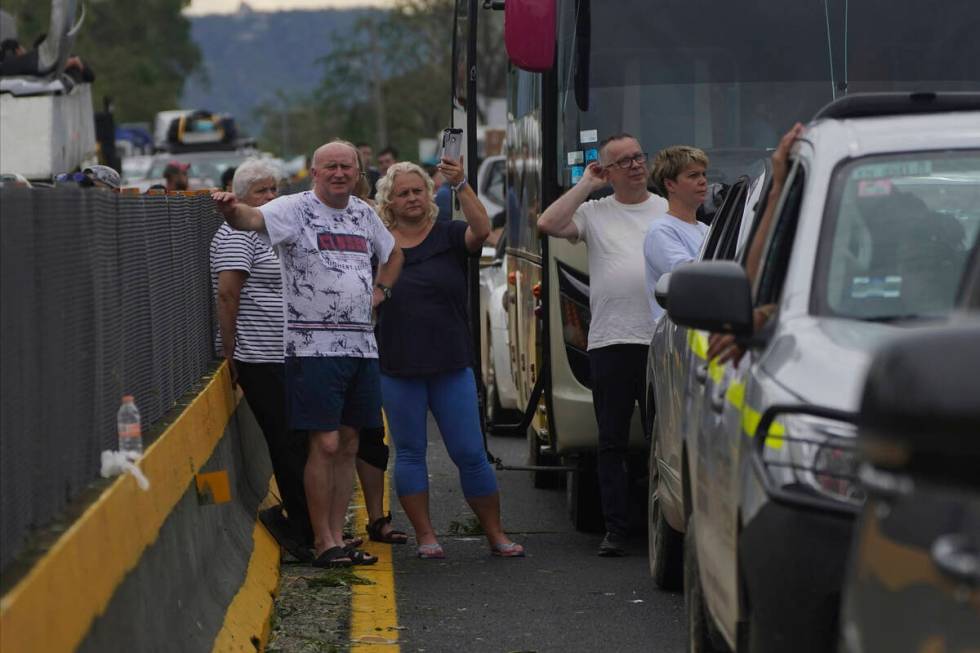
(614, 232)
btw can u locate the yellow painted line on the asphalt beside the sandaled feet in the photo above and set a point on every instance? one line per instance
(374, 616)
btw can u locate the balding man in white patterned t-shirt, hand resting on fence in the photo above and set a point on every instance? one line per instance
(325, 239)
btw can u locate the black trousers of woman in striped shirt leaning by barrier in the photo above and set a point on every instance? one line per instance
(265, 390)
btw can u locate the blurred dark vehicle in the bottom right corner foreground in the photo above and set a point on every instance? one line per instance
(913, 580)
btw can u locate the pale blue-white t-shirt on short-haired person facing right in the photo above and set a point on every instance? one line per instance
(669, 242)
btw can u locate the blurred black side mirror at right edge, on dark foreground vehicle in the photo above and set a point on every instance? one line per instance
(920, 412)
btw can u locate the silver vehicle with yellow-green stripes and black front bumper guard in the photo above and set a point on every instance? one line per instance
(870, 239)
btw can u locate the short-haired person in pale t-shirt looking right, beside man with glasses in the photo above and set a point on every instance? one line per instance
(675, 238)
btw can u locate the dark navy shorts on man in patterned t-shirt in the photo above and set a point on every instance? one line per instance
(325, 392)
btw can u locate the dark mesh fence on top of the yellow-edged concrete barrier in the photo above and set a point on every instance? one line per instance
(102, 295)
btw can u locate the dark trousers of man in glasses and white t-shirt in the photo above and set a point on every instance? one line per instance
(618, 377)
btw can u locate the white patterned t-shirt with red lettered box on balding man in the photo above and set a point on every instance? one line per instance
(325, 255)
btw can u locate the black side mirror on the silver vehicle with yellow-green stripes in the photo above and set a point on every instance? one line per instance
(711, 295)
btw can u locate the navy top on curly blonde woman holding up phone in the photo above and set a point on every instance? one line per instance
(424, 328)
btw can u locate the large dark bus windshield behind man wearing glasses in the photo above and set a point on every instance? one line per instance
(732, 77)
